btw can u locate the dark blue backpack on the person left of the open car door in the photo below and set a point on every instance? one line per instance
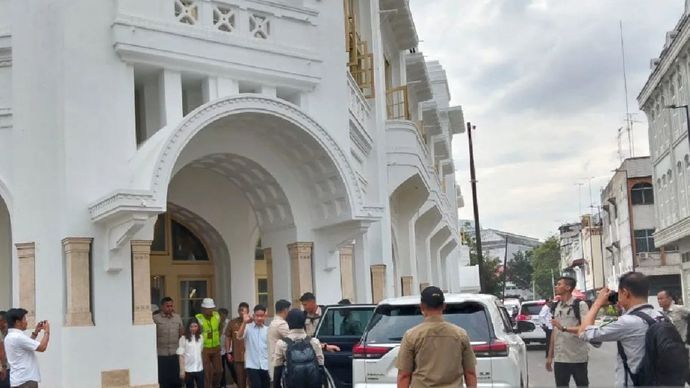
(302, 369)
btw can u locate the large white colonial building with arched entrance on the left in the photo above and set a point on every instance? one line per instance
(246, 150)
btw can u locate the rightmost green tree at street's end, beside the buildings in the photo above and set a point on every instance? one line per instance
(546, 261)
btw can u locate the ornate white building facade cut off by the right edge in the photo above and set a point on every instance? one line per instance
(663, 98)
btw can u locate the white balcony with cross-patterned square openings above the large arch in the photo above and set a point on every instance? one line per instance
(238, 39)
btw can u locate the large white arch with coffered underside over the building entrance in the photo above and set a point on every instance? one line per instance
(313, 165)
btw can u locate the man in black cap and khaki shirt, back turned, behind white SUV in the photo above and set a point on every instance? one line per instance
(435, 353)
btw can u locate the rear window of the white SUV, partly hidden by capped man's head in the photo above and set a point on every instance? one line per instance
(389, 323)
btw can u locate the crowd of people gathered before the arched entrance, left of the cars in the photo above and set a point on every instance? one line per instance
(212, 350)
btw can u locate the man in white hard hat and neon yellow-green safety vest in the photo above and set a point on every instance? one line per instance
(209, 319)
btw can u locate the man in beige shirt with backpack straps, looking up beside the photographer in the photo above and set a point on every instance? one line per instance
(568, 352)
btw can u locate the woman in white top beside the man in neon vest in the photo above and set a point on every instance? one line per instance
(189, 350)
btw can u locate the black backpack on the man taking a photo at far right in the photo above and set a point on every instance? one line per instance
(665, 362)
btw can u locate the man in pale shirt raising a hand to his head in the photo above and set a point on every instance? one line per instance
(254, 332)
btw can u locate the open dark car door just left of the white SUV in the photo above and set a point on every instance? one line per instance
(342, 326)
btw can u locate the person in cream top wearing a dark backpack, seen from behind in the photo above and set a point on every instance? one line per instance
(298, 358)
